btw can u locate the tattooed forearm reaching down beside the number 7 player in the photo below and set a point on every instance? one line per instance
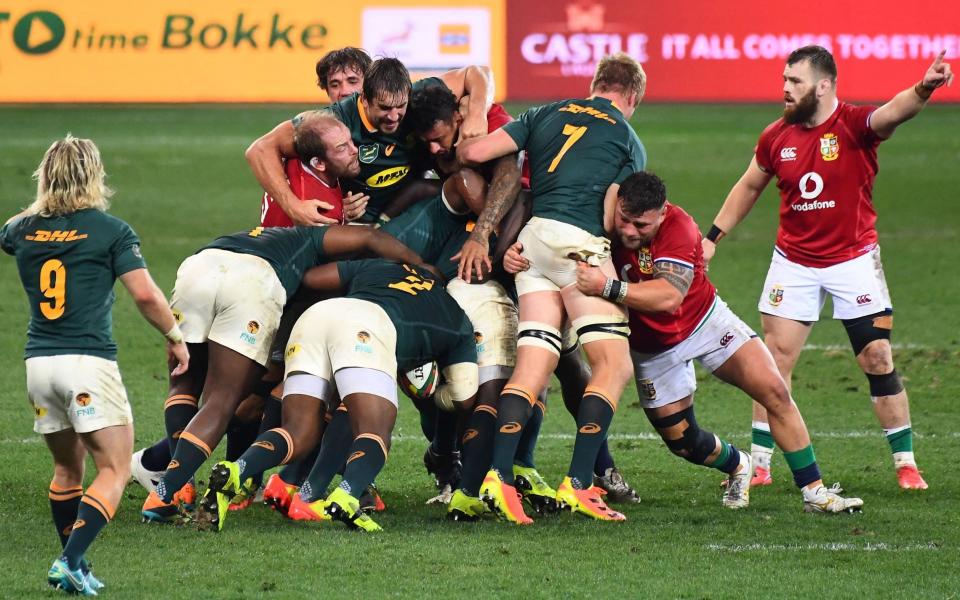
(475, 255)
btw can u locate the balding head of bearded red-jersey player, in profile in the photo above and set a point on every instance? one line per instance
(325, 143)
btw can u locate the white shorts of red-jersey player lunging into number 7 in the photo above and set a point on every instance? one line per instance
(665, 377)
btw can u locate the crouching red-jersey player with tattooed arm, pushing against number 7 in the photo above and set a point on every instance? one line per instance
(676, 316)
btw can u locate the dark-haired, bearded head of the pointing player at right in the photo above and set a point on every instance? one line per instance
(809, 80)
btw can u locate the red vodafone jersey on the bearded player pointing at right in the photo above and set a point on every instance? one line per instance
(825, 175)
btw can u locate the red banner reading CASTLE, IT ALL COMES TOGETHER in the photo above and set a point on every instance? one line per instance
(727, 50)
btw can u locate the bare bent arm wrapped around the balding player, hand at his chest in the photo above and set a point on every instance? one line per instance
(265, 157)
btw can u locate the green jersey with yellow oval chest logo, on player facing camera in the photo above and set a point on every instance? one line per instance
(387, 161)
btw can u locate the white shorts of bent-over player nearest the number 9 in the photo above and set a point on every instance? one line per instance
(233, 299)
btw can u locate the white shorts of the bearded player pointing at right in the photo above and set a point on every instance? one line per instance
(857, 286)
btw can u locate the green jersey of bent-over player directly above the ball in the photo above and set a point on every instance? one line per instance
(430, 325)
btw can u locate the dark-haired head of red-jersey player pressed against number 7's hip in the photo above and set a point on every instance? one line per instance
(641, 206)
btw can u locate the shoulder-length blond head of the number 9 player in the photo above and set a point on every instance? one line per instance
(70, 178)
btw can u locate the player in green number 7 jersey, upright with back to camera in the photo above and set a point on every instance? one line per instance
(579, 151)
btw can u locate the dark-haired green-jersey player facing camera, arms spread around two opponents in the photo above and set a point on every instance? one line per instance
(373, 117)
